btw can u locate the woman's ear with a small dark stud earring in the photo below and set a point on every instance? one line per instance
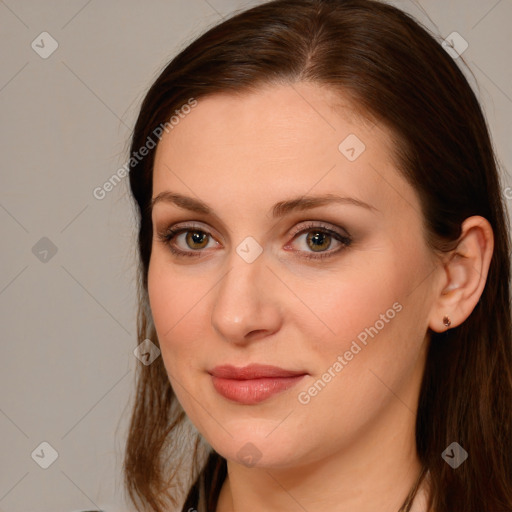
(465, 272)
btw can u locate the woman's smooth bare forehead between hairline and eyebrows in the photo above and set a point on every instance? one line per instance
(279, 141)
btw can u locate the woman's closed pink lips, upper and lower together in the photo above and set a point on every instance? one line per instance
(253, 384)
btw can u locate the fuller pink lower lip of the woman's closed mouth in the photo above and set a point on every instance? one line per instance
(253, 391)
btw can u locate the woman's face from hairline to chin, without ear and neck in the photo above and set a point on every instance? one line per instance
(339, 293)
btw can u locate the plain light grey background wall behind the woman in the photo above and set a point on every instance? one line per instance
(68, 322)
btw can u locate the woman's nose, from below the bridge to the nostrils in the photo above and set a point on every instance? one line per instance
(247, 306)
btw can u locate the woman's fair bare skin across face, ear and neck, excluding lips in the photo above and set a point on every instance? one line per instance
(241, 154)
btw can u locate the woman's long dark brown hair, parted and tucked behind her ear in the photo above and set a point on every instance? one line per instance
(397, 72)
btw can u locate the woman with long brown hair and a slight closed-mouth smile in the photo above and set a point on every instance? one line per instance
(324, 265)
